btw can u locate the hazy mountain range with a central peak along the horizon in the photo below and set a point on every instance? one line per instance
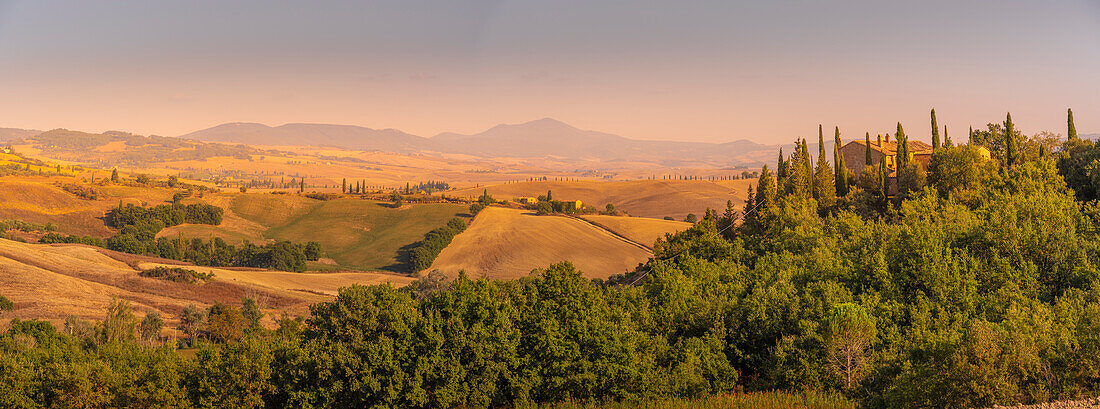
(545, 138)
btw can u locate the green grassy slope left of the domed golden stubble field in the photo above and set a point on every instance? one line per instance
(356, 234)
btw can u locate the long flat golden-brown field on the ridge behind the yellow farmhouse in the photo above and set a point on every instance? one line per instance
(640, 198)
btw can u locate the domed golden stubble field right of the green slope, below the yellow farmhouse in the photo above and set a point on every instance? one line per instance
(509, 244)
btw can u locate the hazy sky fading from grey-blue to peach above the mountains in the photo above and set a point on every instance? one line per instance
(686, 71)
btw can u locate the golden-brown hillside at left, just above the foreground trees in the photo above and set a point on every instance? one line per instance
(54, 282)
